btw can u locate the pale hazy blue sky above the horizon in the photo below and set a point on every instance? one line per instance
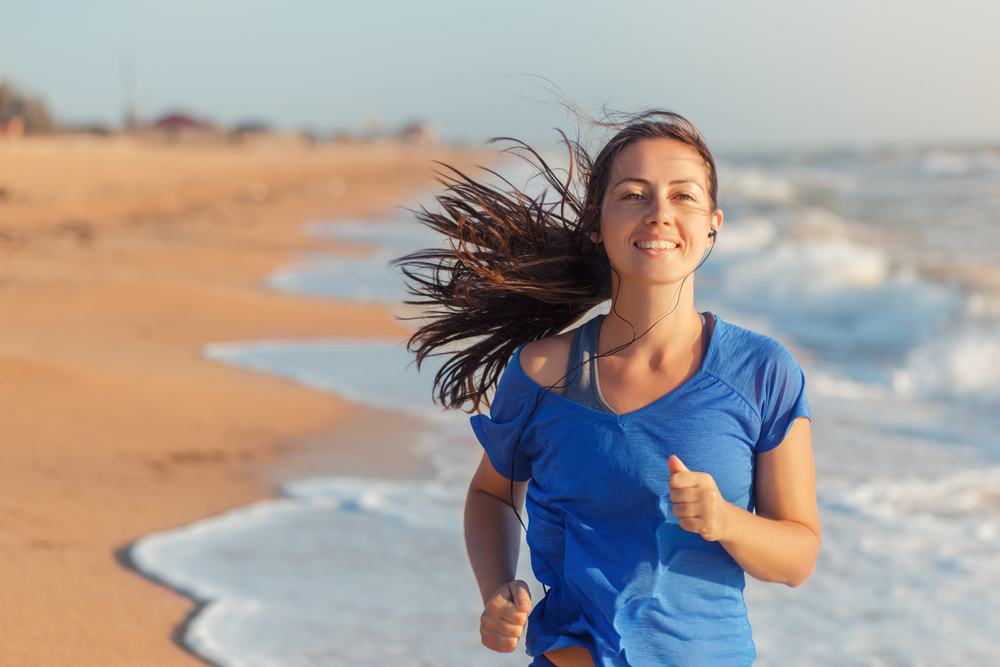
(768, 74)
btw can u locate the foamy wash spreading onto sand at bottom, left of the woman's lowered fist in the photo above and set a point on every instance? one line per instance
(345, 572)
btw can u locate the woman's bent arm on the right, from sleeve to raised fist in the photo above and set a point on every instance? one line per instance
(781, 541)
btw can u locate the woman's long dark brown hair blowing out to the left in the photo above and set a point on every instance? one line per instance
(518, 268)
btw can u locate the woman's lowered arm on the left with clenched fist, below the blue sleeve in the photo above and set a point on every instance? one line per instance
(493, 538)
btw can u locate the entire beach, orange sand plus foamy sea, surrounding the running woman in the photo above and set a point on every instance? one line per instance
(212, 391)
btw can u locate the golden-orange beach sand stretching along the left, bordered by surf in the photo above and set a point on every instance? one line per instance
(119, 259)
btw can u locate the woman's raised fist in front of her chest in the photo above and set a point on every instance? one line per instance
(697, 501)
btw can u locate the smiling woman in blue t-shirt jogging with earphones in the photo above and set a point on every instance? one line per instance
(643, 441)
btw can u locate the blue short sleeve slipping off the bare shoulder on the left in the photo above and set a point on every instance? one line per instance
(509, 411)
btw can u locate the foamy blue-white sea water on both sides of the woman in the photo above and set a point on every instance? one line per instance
(878, 271)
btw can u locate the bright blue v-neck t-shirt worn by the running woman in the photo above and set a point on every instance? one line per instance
(625, 581)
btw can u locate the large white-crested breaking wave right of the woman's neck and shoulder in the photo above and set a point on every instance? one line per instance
(838, 297)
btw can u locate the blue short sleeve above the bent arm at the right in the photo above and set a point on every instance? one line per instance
(784, 392)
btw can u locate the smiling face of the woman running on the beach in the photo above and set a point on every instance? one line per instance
(657, 213)
